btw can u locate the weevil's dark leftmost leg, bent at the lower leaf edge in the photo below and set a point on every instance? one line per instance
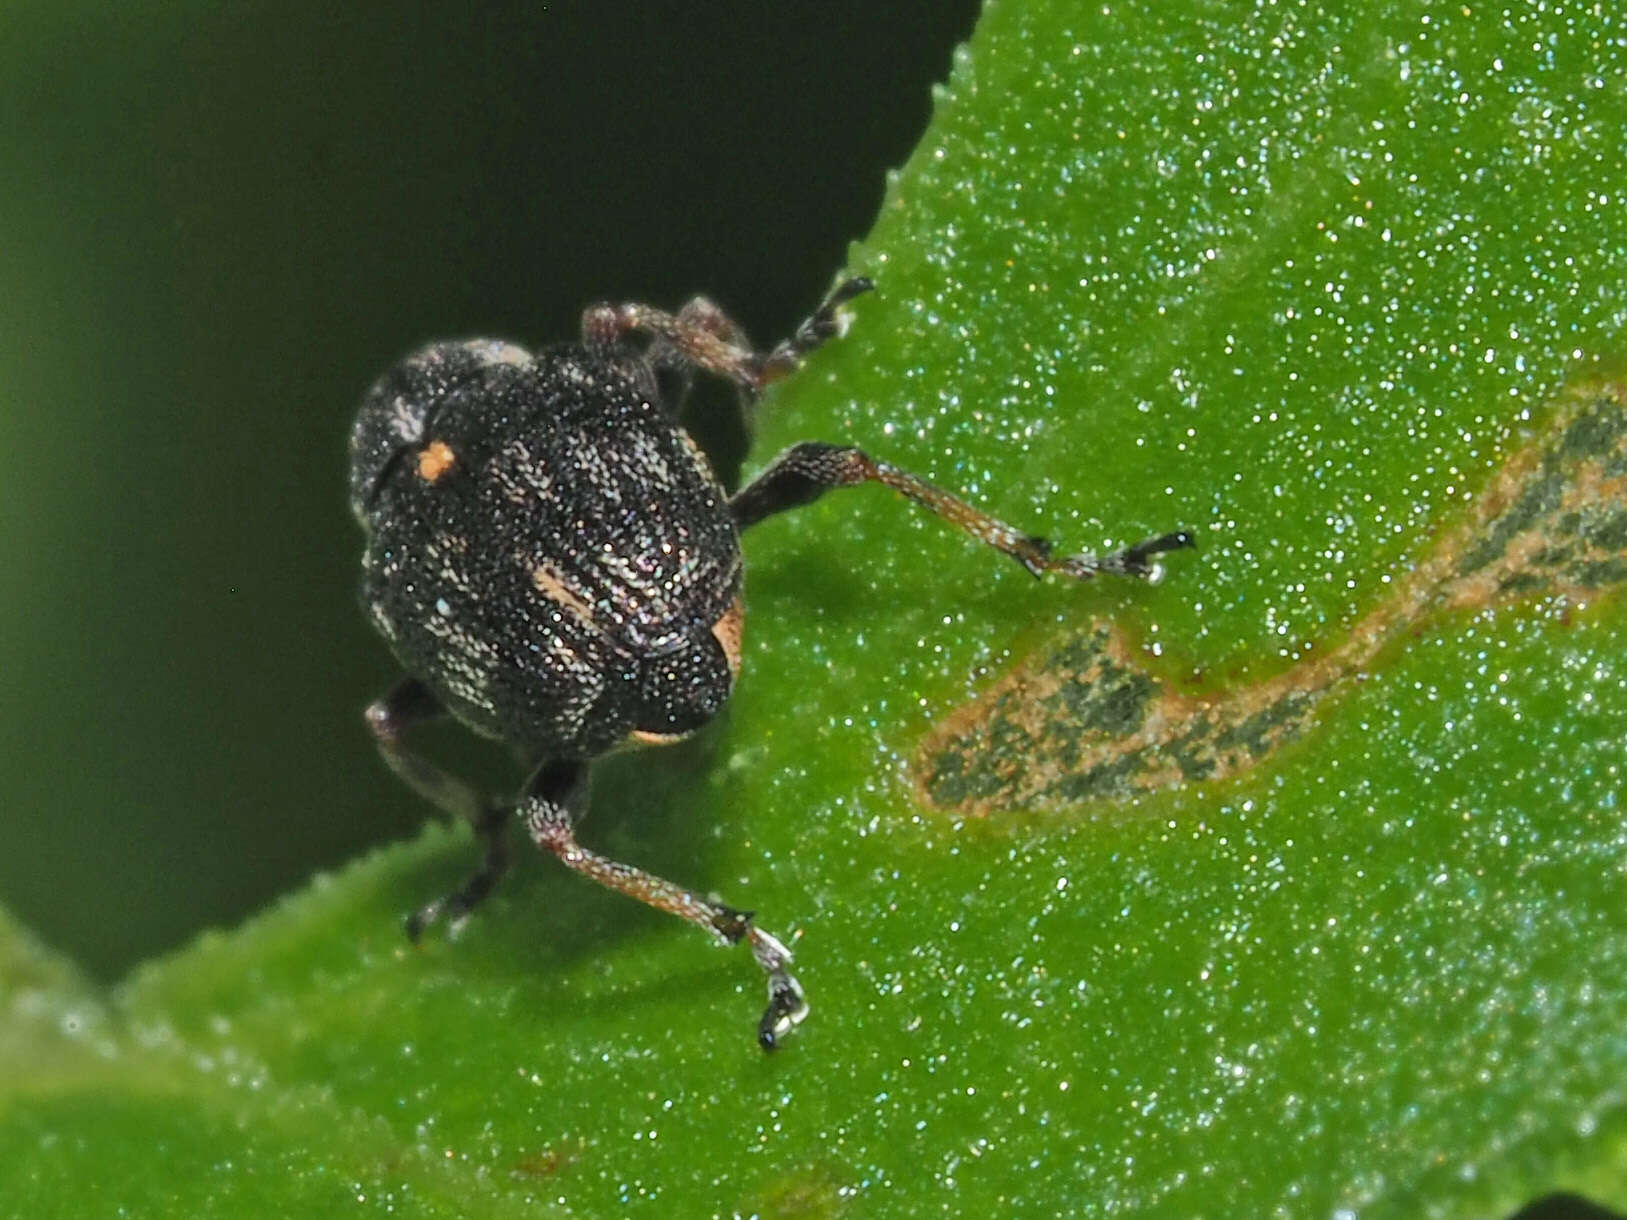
(412, 704)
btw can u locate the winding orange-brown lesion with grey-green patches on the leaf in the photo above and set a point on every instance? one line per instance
(1083, 720)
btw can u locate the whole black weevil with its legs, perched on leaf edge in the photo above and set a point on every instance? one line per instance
(556, 565)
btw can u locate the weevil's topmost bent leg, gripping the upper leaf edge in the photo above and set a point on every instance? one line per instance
(704, 336)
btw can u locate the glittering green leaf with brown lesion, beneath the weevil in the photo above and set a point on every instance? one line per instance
(1293, 884)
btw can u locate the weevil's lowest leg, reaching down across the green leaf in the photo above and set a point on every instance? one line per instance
(549, 808)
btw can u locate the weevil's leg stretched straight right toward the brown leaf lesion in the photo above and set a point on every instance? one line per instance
(805, 473)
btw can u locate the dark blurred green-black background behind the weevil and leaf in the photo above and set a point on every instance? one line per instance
(217, 225)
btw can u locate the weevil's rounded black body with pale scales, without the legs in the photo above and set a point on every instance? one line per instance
(547, 552)
